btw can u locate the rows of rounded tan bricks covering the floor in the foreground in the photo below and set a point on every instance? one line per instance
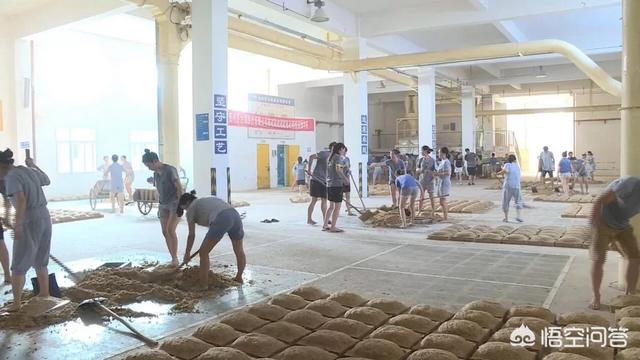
(312, 324)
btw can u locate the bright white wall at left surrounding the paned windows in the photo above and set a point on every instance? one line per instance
(93, 82)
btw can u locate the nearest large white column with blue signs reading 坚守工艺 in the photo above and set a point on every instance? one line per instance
(211, 143)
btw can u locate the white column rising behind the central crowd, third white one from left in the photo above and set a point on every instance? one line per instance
(426, 107)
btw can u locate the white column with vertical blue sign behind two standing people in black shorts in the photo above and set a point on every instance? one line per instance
(356, 116)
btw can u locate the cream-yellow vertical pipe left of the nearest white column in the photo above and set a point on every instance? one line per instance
(168, 48)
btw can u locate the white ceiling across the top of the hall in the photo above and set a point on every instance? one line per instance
(406, 26)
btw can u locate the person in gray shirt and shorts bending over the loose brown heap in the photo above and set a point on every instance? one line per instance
(221, 218)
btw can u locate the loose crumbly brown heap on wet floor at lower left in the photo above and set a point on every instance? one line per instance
(125, 286)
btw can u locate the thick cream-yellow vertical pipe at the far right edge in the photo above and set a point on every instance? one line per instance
(630, 111)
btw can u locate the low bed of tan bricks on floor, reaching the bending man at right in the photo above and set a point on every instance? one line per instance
(574, 236)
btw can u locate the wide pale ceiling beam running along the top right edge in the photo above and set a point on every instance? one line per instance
(440, 15)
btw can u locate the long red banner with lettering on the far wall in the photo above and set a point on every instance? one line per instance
(256, 121)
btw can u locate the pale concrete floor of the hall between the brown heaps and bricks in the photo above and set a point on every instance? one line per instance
(376, 262)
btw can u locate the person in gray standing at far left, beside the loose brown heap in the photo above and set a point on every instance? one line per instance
(32, 228)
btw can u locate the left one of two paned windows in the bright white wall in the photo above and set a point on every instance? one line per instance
(76, 150)
